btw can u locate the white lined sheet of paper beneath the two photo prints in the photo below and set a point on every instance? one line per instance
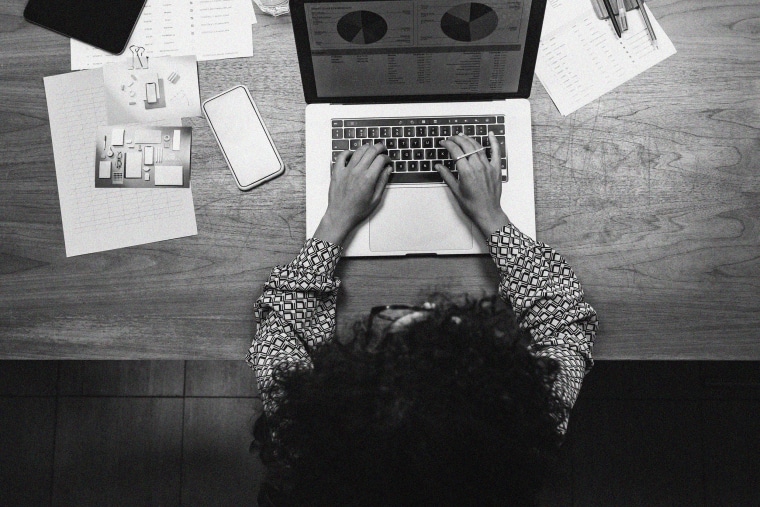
(97, 219)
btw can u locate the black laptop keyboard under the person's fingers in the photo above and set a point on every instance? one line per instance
(413, 144)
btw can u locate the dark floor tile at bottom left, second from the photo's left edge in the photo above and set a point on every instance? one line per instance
(118, 451)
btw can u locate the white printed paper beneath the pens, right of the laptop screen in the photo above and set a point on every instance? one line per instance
(580, 57)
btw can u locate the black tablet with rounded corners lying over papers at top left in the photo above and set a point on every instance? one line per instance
(105, 25)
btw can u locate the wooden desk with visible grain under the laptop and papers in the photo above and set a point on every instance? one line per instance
(652, 193)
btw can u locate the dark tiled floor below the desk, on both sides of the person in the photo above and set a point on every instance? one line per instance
(177, 433)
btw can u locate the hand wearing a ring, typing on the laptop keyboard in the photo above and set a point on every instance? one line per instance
(478, 189)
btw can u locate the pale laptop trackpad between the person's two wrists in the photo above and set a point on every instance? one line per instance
(419, 219)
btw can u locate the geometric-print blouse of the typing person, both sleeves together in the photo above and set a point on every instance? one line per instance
(296, 310)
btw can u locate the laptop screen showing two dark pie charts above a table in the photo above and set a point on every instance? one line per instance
(393, 48)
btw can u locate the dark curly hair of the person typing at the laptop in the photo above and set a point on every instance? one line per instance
(453, 410)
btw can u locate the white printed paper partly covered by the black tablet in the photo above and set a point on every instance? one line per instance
(211, 30)
